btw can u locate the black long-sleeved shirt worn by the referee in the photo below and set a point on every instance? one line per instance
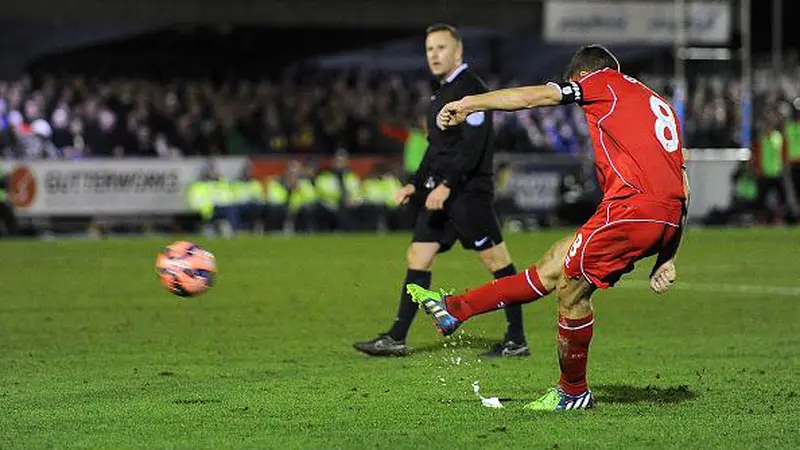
(460, 157)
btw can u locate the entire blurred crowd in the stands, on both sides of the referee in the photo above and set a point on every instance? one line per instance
(316, 112)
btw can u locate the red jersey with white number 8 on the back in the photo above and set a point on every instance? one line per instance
(635, 134)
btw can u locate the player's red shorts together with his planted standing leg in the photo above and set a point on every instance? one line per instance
(604, 249)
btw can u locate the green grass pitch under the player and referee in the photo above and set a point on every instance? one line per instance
(95, 354)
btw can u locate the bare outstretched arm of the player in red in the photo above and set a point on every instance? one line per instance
(511, 99)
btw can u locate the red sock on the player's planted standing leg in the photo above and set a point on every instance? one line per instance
(574, 336)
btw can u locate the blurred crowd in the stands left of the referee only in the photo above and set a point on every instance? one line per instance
(74, 117)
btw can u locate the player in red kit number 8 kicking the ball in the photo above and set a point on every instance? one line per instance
(640, 166)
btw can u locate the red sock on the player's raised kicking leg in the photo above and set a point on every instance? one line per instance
(523, 287)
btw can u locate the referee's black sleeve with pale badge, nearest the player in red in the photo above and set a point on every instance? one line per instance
(470, 148)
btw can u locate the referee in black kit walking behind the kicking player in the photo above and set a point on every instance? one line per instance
(452, 198)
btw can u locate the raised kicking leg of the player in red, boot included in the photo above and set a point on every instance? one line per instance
(535, 282)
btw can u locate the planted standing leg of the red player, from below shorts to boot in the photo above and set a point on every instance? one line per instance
(575, 329)
